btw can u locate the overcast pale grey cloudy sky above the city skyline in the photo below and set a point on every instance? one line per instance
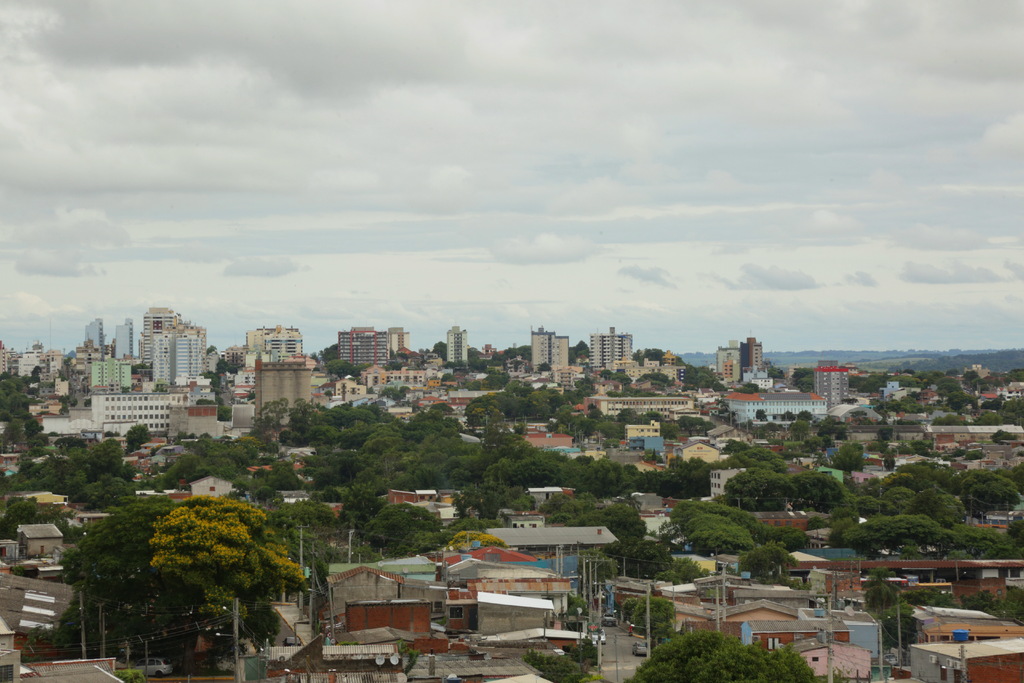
(844, 175)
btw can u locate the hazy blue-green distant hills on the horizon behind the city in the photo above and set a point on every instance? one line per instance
(955, 359)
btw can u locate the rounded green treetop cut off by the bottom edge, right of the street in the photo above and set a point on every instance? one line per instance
(709, 657)
